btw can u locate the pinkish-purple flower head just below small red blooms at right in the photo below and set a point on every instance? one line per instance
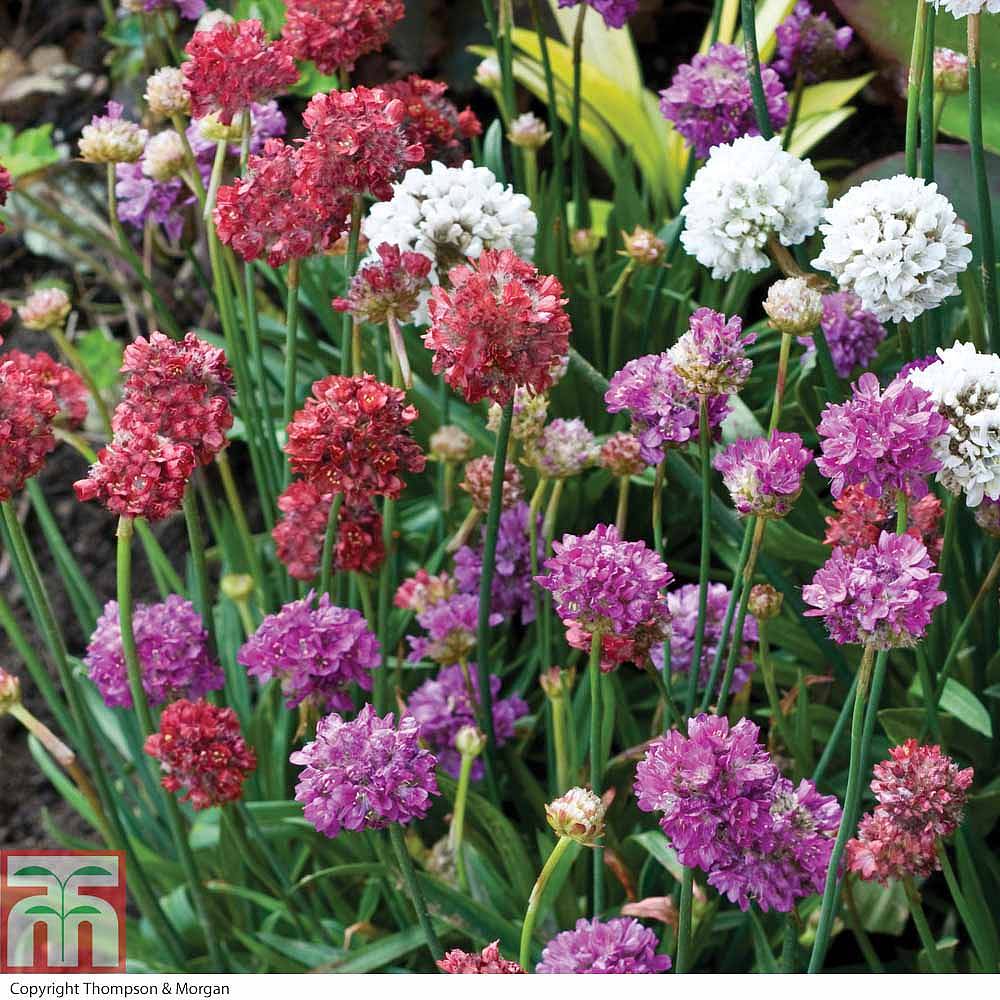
(884, 593)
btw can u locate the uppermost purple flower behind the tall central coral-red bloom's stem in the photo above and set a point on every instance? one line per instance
(511, 592)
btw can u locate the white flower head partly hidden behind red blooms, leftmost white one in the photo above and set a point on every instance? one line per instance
(452, 215)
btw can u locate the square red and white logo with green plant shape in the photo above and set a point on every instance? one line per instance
(62, 911)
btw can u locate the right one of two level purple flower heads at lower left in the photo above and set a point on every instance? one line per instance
(316, 651)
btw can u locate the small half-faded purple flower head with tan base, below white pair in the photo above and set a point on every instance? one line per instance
(710, 357)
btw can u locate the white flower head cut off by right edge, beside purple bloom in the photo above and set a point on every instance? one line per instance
(966, 387)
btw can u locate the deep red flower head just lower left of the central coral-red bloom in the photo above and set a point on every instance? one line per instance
(351, 437)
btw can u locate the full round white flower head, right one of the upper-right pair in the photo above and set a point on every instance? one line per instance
(897, 244)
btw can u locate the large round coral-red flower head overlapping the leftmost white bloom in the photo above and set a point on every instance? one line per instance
(501, 325)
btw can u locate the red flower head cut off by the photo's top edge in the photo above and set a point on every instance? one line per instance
(334, 34)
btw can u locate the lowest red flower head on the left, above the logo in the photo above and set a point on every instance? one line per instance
(200, 749)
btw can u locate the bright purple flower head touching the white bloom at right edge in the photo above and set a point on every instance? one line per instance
(881, 439)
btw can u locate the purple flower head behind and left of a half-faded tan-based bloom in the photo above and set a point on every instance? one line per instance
(664, 411)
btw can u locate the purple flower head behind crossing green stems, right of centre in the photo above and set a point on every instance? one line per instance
(683, 605)
